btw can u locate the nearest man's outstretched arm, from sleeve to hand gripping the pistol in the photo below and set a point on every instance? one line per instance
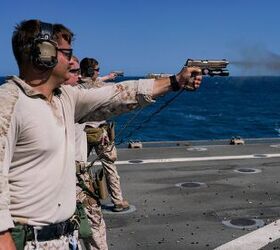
(106, 102)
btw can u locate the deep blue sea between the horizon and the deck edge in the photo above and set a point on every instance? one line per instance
(223, 107)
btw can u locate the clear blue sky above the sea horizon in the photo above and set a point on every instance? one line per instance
(144, 36)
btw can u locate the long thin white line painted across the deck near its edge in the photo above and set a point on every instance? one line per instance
(192, 159)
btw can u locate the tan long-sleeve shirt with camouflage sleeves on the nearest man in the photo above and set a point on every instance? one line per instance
(37, 145)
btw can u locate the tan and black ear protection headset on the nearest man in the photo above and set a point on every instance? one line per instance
(44, 48)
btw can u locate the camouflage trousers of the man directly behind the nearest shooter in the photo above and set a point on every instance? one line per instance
(95, 217)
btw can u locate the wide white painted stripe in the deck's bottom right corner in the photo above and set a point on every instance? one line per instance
(254, 240)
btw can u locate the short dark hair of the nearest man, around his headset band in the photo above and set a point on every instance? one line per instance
(27, 31)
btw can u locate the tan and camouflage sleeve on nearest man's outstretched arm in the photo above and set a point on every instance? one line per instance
(108, 101)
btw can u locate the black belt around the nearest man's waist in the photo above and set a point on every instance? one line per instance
(50, 232)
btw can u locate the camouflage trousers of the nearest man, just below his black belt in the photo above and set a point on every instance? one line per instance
(64, 243)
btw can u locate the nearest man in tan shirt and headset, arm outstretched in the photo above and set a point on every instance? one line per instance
(37, 163)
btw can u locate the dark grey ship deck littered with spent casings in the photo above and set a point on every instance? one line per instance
(170, 215)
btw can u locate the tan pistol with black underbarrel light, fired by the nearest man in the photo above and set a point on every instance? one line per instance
(210, 67)
